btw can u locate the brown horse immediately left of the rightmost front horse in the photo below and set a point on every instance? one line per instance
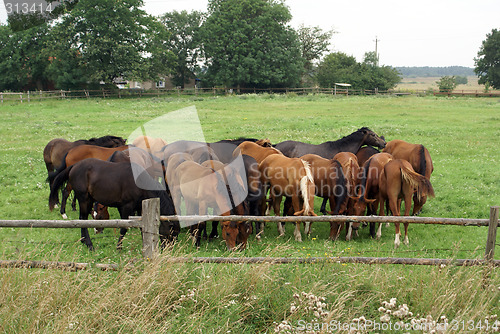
(367, 194)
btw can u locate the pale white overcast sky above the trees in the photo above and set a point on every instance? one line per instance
(410, 33)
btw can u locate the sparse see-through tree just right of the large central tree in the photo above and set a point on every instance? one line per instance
(314, 42)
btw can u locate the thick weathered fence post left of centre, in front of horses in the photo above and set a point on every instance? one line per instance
(150, 227)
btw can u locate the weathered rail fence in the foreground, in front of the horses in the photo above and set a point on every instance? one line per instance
(149, 224)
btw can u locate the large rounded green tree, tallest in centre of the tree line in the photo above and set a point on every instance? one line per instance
(248, 43)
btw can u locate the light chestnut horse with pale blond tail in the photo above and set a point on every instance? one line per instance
(289, 177)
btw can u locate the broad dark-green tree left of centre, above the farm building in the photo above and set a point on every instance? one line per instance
(107, 39)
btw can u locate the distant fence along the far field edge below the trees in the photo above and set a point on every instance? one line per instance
(34, 96)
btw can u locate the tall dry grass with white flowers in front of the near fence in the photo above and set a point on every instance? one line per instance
(166, 297)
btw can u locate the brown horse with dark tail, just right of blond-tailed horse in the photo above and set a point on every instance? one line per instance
(331, 185)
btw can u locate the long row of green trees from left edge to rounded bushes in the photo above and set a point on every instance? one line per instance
(235, 43)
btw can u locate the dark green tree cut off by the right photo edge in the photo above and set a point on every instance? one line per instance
(487, 62)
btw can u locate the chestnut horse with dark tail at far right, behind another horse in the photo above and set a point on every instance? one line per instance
(419, 158)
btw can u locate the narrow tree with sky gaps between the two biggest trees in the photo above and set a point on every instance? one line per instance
(184, 42)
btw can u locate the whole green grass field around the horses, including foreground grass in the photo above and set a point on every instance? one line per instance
(461, 134)
